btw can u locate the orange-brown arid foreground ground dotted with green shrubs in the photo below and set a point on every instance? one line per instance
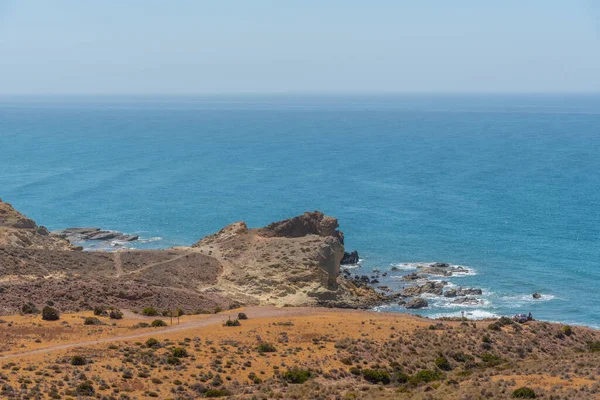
(294, 353)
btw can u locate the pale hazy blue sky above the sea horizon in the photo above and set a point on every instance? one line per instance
(147, 46)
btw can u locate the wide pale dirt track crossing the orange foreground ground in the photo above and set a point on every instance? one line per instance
(252, 312)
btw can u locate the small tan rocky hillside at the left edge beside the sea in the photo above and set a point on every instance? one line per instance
(16, 230)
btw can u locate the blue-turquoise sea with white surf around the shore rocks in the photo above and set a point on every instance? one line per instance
(508, 186)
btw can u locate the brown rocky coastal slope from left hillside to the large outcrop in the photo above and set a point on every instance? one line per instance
(291, 262)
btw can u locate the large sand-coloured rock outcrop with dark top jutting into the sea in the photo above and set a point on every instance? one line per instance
(290, 262)
